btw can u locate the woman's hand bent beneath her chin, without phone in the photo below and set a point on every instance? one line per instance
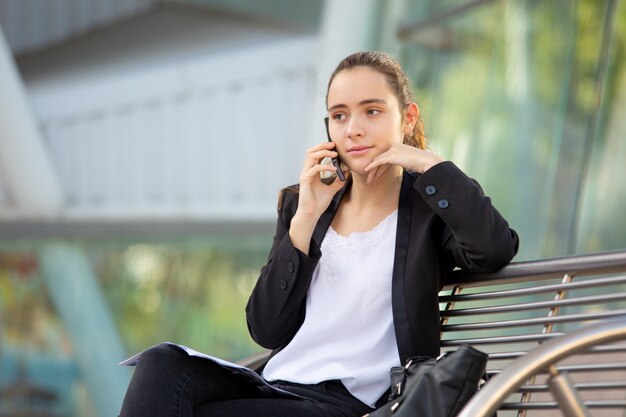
(406, 156)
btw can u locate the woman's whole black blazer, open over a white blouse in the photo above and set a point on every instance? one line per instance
(444, 221)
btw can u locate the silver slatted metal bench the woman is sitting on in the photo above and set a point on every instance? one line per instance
(511, 312)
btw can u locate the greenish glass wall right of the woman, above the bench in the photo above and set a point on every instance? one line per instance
(528, 97)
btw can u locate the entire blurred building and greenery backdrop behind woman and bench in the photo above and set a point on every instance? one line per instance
(143, 142)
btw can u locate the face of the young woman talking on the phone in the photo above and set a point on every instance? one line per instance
(364, 117)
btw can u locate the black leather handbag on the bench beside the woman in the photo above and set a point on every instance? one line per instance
(434, 387)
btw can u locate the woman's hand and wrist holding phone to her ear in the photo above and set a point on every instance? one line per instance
(314, 195)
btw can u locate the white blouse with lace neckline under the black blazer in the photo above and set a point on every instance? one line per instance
(348, 331)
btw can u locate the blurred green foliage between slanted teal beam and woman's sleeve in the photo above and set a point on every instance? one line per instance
(194, 295)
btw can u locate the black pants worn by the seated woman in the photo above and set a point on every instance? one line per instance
(169, 383)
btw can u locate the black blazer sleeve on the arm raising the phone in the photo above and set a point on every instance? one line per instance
(276, 307)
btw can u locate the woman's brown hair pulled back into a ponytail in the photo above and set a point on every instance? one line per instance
(397, 81)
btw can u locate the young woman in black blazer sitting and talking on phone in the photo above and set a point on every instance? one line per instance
(350, 286)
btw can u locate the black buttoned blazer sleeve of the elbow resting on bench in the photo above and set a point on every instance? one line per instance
(476, 237)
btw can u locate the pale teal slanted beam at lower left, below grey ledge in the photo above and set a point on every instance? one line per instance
(79, 302)
